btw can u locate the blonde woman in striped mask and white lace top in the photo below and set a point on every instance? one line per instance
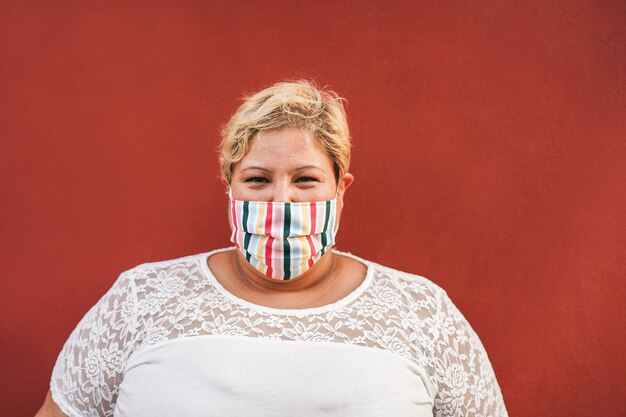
(281, 324)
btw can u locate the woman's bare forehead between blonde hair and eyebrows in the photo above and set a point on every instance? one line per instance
(286, 149)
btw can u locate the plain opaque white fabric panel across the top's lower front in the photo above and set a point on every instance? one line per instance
(244, 376)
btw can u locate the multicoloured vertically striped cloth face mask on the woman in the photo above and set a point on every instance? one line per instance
(282, 239)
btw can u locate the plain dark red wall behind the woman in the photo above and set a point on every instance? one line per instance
(489, 157)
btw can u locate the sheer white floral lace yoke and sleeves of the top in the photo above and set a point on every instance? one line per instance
(405, 314)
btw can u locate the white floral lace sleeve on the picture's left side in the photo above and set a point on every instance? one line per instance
(89, 368)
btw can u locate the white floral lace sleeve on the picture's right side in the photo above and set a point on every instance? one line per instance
(467, 384)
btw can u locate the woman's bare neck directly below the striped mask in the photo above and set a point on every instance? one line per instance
(321, 275)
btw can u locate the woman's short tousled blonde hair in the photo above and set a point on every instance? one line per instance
(290, 104)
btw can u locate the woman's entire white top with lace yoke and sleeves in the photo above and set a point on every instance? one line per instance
(169, 340)
